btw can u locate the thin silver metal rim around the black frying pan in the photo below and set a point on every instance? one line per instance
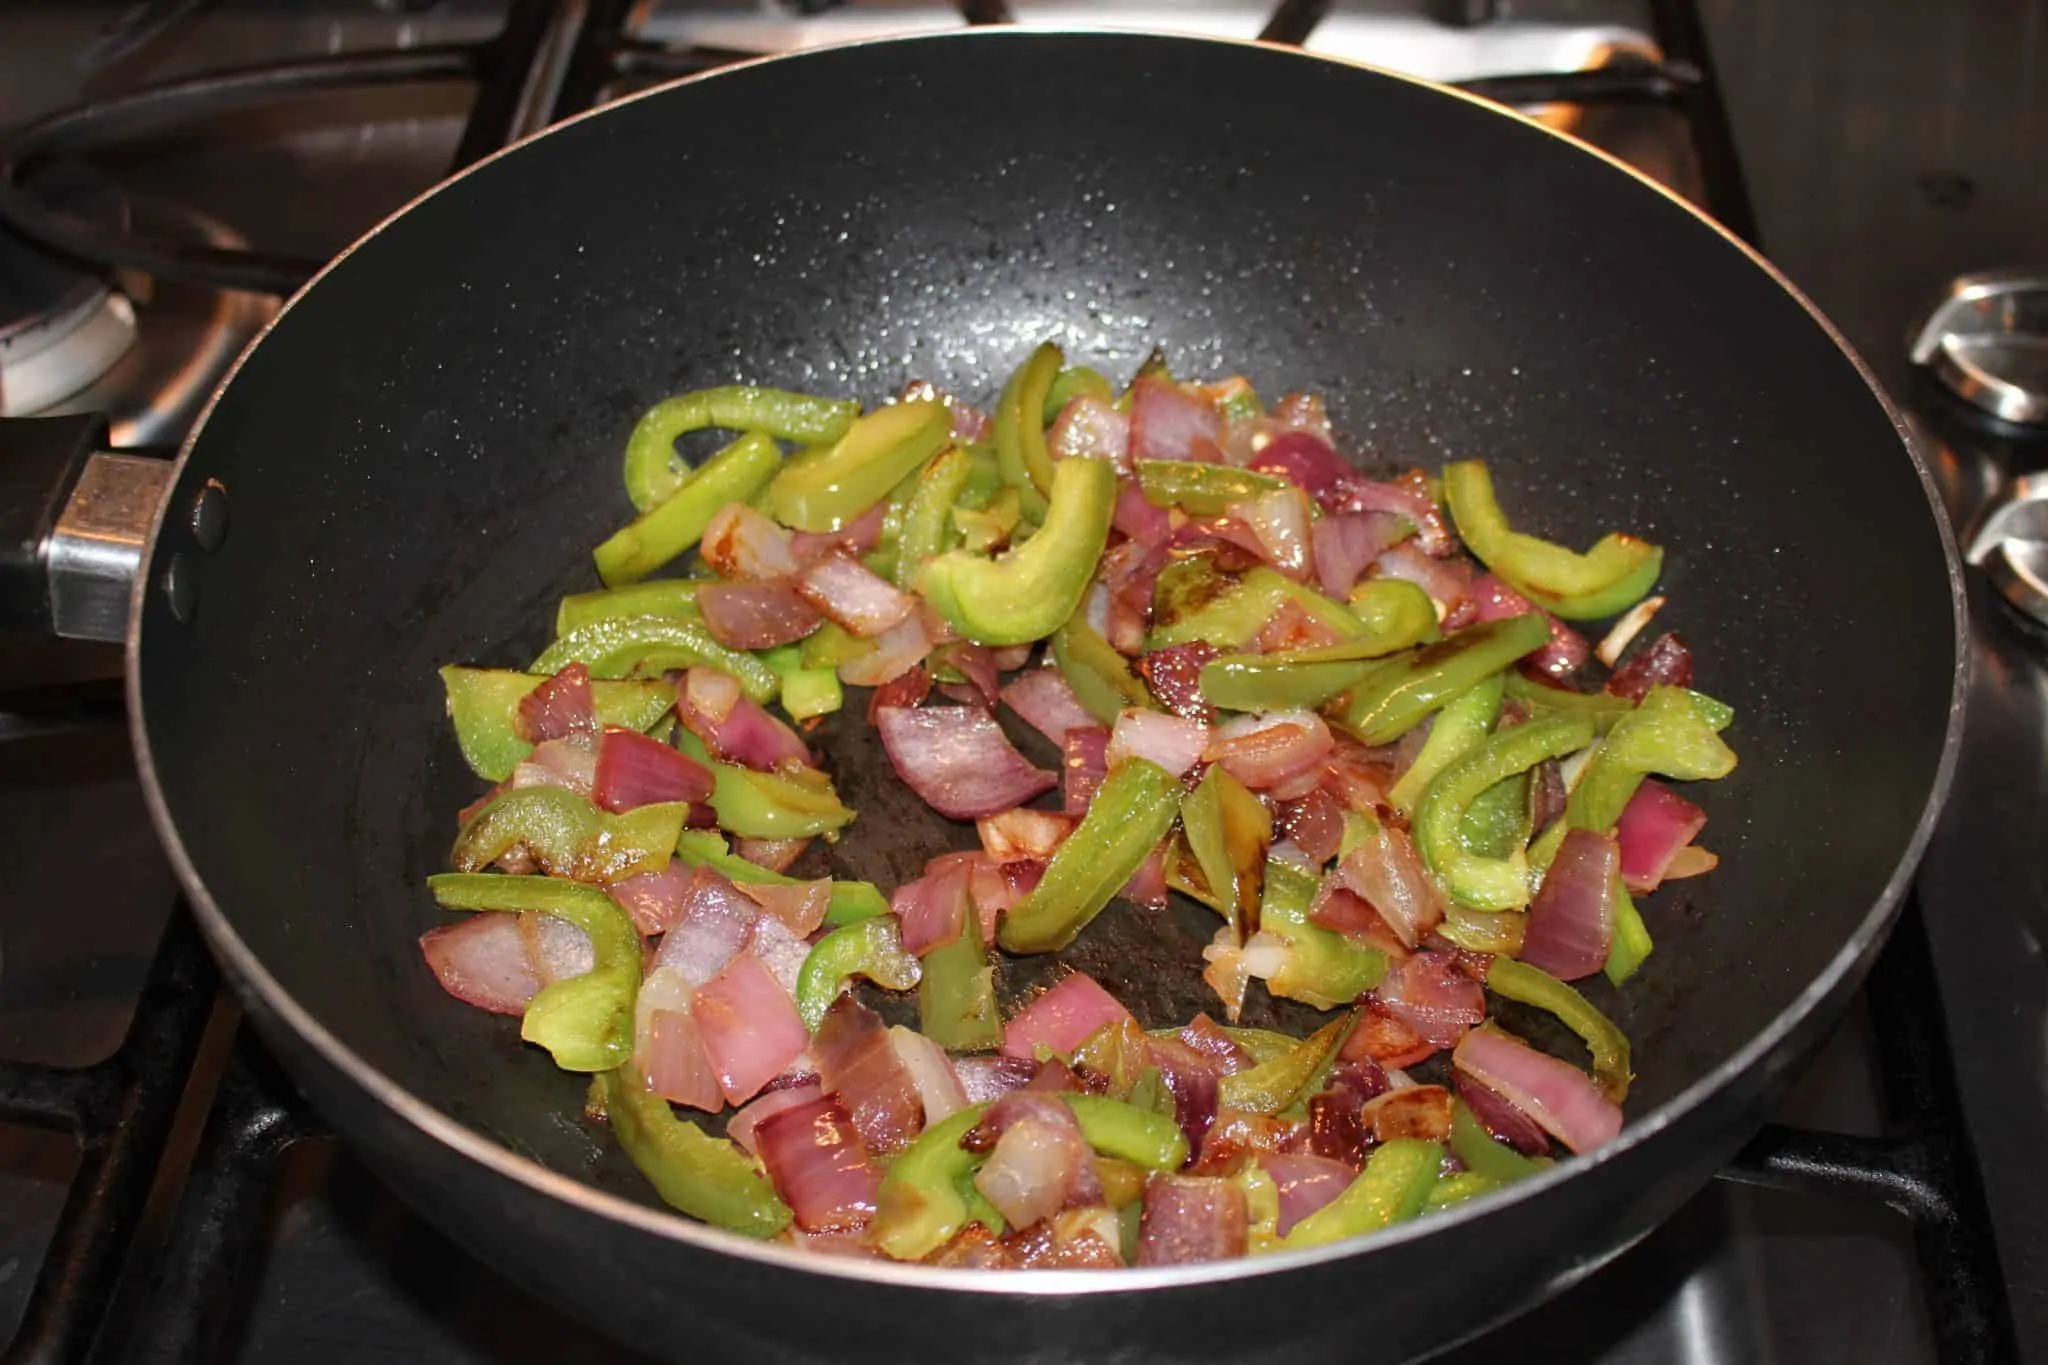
(499, 1159)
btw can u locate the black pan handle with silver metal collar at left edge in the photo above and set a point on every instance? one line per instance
(75, 525)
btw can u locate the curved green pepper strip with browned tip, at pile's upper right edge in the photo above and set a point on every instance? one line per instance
(1603, 582)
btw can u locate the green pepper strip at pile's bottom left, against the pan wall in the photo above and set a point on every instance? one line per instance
(706, 1178)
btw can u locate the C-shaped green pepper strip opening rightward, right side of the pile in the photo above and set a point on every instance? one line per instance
(1469, 879)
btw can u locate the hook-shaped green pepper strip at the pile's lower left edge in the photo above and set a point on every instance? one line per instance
(585, 1022)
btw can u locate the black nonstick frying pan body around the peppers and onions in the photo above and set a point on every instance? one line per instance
(425, 447)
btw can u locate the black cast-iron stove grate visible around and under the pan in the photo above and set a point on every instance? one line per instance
(122, 1110)
